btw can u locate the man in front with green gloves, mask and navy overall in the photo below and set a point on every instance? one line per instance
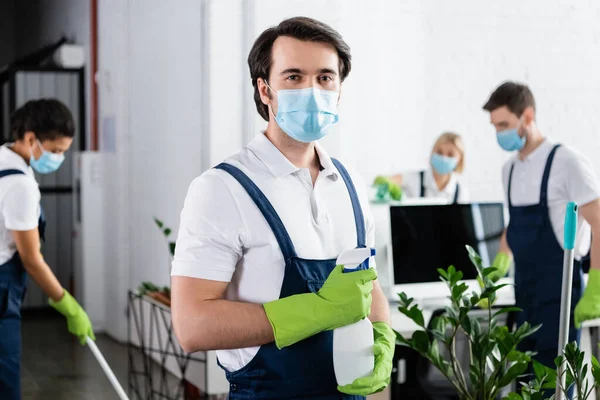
(254, 274)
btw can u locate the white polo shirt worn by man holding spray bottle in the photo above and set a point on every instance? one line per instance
(224, 237)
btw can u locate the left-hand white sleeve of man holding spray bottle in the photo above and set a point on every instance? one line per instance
(211, 231)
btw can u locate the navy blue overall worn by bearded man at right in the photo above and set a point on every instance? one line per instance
(538, 272)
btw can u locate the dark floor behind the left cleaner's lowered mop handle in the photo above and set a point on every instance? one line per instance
(56, 367)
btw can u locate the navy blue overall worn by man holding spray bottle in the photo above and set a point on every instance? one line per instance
(305, 369)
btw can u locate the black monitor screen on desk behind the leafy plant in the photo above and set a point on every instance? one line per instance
(428, 237)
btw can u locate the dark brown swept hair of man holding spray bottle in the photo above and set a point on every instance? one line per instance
(301, 28)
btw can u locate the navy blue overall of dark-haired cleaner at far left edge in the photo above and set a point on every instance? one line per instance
(13, 280)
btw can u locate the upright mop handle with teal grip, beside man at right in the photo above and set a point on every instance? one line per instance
(567, 282)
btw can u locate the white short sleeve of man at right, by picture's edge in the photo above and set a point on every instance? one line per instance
(581, 180)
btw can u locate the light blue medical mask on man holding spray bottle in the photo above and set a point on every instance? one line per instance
(306, 114)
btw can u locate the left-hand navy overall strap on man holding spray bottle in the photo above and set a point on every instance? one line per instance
(265, 207)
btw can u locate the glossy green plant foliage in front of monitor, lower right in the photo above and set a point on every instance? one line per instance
(494, 363)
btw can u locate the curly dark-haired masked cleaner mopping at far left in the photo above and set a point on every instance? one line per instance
(43, 131)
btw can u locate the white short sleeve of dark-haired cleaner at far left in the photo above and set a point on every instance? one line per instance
(21, 205)
